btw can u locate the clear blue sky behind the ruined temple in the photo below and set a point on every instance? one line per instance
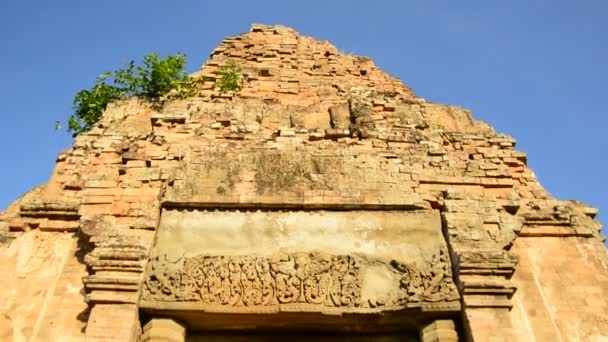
(537, 70)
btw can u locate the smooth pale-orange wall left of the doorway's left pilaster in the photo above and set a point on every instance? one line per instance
(43, 297)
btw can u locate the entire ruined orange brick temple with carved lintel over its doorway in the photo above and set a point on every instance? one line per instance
(322, 201)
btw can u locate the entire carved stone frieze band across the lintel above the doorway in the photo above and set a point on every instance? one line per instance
(326, 281)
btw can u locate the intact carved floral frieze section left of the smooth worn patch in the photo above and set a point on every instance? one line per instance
(249, 281)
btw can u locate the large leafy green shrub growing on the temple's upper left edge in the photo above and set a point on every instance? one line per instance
(154, 79)
